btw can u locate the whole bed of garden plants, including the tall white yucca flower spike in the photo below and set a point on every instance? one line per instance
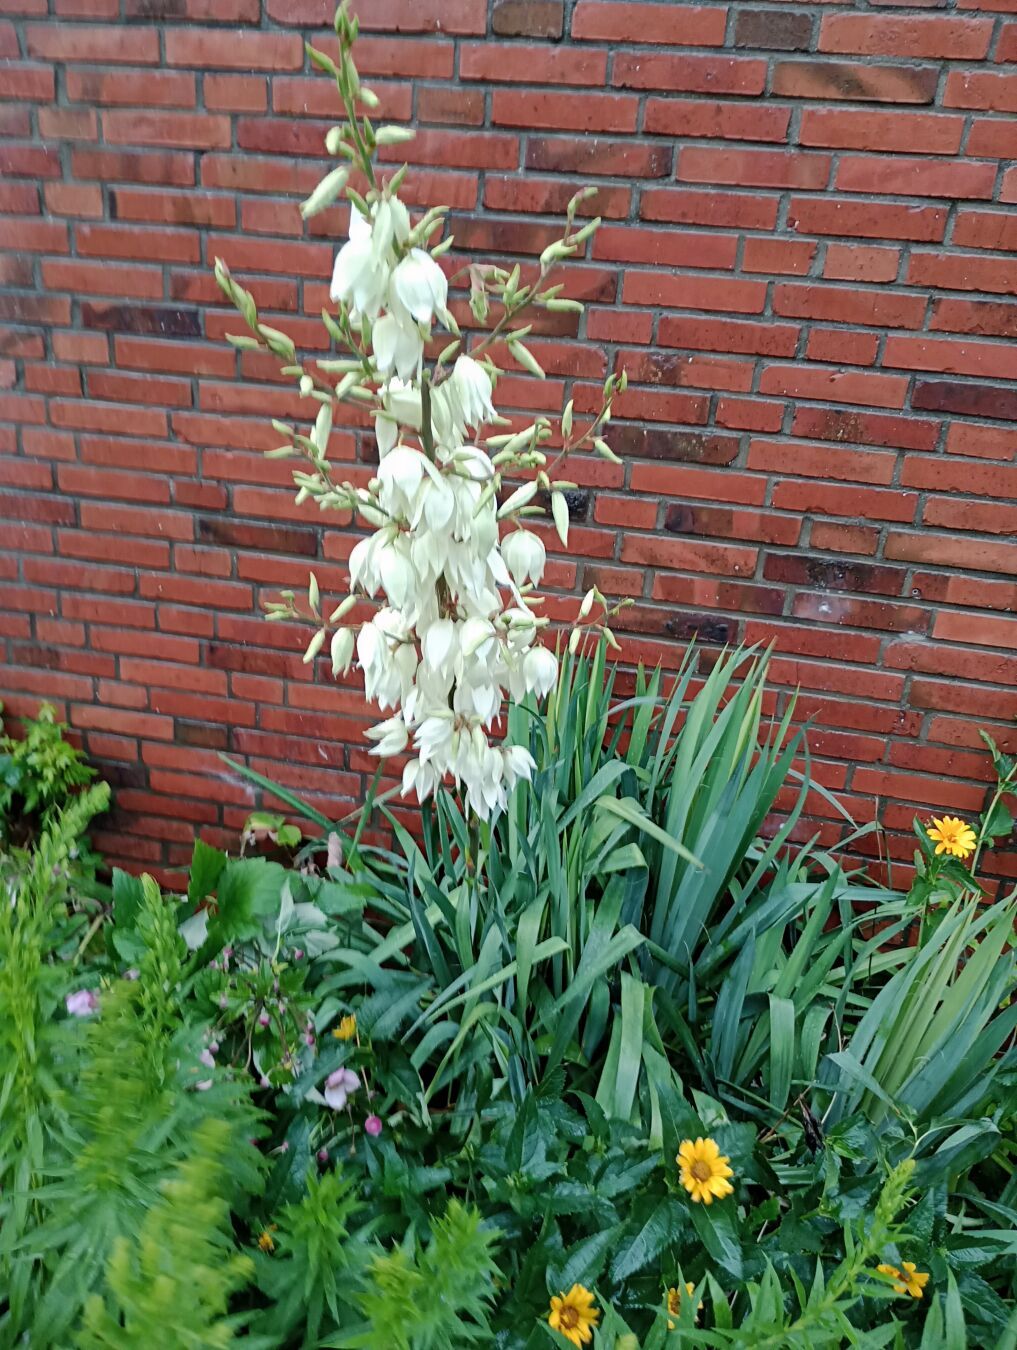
(591, 1059)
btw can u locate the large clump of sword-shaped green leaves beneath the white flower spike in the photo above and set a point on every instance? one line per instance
(625, 902)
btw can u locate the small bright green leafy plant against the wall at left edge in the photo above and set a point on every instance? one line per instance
(41, 772)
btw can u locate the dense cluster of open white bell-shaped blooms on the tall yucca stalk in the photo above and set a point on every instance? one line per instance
(453, 635)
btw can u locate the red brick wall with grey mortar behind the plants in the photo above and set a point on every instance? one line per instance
(808, 268)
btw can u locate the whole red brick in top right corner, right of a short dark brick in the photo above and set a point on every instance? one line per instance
(915, 37)
